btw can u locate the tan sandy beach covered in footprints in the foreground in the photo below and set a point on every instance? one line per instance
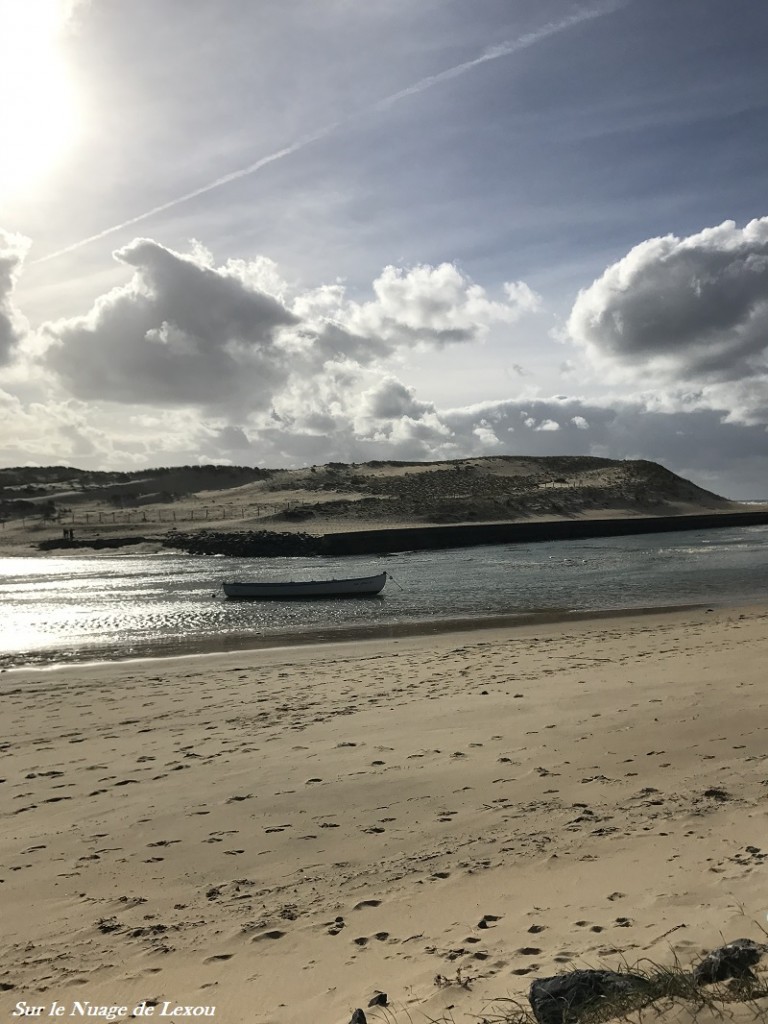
(281, 834)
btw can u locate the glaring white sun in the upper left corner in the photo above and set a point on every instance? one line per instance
(39, 114)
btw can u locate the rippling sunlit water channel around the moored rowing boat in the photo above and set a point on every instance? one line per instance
(84, 609)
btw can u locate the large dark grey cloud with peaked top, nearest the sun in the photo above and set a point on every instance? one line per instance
(181, 333)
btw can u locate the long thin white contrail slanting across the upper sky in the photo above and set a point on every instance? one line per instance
(494, 54)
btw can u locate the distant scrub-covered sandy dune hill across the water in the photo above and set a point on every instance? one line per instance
(339, 496)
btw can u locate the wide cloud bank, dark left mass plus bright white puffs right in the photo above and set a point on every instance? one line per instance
(234, 340)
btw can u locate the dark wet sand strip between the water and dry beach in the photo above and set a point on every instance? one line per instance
(240, 643)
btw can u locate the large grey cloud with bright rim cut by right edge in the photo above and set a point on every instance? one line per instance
(692, 312)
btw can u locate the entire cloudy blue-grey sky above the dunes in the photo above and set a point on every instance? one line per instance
(282, 233)
